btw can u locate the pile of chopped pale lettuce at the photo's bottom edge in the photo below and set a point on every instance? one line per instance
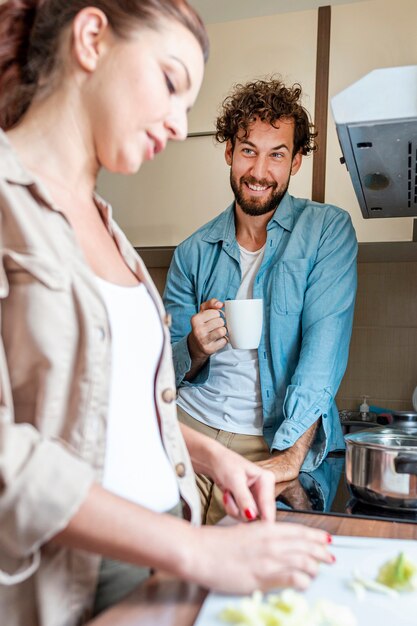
(288, 608)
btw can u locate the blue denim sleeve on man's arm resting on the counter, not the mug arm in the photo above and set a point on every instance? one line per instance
(327, 319)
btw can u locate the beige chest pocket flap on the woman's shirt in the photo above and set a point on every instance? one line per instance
(27, 268)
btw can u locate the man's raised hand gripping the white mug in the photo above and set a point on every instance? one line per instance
(207, 336)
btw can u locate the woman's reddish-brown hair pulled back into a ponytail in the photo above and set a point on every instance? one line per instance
(31, 32)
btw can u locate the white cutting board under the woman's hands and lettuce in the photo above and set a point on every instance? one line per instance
(363, 553)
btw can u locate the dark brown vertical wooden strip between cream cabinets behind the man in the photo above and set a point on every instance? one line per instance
(321, 102)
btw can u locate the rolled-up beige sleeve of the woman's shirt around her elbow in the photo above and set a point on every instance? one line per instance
(42, 484)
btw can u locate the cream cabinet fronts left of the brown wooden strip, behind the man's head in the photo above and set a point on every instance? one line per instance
(189, 184)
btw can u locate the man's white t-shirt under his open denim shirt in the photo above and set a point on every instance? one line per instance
(231, 399)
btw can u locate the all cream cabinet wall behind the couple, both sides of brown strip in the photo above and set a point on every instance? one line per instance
(188, 185)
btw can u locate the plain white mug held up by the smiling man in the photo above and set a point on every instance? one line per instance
(244, 322)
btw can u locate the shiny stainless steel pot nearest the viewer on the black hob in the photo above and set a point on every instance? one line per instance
(381, 466)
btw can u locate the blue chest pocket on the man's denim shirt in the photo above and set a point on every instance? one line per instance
(289, 284)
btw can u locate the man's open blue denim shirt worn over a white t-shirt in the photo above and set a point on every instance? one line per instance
(308, 282)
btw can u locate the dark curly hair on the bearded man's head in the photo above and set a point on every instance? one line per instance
(269, 101)
